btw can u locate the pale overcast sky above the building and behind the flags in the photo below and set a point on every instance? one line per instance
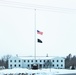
(55, 18)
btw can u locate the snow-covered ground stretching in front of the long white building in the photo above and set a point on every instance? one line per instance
(17, 71)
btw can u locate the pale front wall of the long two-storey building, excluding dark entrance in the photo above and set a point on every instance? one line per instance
(26, 63)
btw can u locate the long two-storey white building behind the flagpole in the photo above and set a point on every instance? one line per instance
(42, 62)
